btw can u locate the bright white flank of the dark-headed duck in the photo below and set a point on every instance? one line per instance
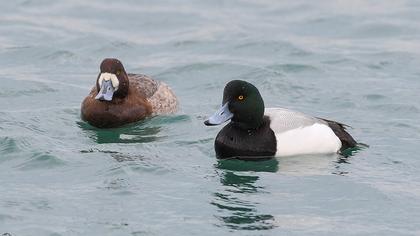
(315, 139)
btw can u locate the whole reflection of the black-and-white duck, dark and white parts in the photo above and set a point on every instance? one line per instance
(239, 181)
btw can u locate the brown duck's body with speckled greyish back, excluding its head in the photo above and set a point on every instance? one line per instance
(144, 97)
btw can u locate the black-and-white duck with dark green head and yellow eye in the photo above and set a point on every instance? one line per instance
(256, 131)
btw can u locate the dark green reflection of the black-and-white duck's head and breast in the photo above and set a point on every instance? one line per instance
(235, 211)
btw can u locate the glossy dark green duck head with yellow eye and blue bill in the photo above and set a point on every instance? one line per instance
(242, 104)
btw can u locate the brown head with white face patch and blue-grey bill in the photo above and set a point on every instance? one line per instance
(112, 81)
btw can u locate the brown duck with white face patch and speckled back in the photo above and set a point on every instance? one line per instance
(119, 98)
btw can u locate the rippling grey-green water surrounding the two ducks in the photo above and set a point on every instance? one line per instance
(353, 61)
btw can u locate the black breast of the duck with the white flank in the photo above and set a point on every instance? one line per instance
(233, 141)
